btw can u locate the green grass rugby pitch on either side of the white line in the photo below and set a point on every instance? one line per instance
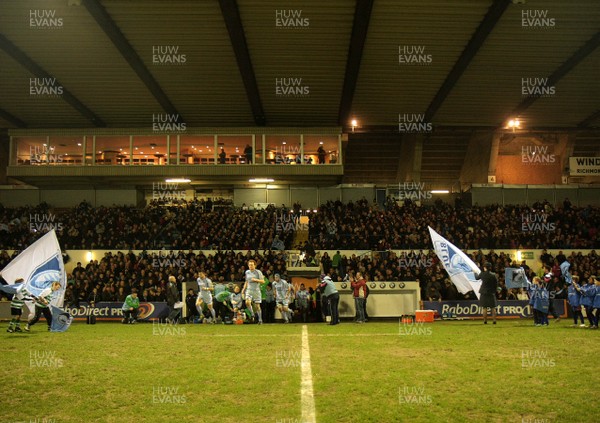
(378, 372)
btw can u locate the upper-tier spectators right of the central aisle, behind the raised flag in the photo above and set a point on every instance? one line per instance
(361, 225)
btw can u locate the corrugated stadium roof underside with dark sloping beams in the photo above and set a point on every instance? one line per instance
(454, 63)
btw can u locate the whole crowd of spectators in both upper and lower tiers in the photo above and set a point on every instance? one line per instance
(217, 225)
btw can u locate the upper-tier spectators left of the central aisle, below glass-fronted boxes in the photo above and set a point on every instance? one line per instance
(185, 225)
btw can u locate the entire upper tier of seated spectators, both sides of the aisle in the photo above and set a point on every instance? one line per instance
(359, 225)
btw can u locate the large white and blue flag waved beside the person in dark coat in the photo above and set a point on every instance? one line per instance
(459, 266)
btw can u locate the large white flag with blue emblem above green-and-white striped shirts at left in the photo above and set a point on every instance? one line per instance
(39, 265)
